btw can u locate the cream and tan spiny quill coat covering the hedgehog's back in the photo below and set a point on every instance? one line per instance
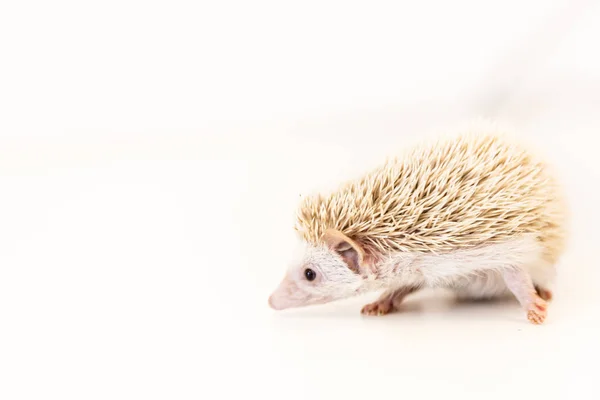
(472, 196)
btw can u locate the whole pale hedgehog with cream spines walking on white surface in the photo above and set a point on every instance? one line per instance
(474, 213)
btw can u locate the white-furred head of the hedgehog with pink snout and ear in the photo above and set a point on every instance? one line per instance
(331, 269)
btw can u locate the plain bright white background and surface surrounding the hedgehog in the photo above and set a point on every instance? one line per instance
(151, 159)
